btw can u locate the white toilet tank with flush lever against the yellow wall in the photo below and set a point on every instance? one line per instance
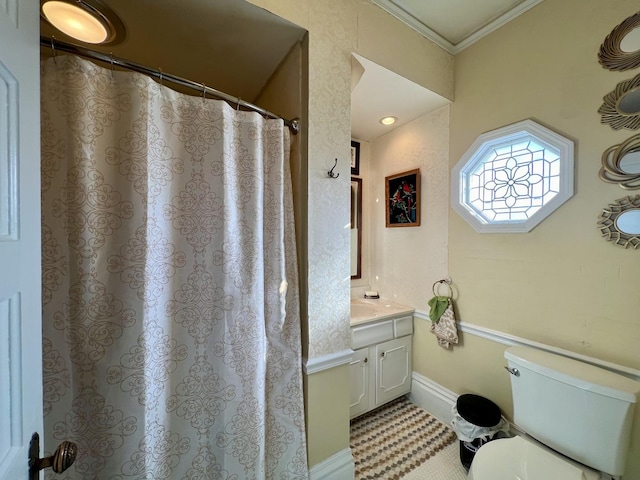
(582, 411)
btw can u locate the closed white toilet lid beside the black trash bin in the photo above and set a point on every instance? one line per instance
(519, 458)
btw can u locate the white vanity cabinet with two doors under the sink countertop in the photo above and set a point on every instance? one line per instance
(381, 365)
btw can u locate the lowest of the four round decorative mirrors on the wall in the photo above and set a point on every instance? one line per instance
(620, 222)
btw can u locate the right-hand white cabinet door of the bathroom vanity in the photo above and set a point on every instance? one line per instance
(393, 369)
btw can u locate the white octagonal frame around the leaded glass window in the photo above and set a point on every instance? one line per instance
(510, 135)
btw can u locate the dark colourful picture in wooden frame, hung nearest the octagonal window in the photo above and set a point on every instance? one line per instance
(402, 193)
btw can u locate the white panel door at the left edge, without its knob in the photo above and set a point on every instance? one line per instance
(20, 297)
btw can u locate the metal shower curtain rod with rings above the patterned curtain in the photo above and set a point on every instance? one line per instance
(54, 45)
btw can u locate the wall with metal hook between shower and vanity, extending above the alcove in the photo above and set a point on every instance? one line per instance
(336, 29)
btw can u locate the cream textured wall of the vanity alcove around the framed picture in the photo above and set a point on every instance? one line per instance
(408, 260)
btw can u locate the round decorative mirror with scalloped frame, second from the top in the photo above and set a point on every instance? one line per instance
(621, 107)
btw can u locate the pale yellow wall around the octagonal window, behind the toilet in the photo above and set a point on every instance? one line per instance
(561, 284)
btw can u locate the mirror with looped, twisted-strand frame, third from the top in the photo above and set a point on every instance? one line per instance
(621, 164)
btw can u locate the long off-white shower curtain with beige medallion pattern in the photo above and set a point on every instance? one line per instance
(171, 332)
